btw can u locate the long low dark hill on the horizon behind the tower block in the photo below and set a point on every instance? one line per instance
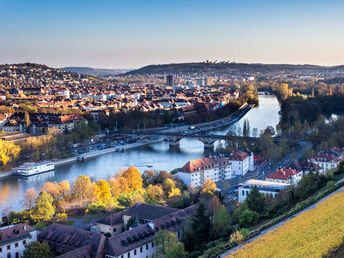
(223, 68)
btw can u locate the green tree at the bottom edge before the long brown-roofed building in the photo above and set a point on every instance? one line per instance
(168, 244)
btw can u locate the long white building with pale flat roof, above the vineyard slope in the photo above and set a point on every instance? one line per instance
(264, 187)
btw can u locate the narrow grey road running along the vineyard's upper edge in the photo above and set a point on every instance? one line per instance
(280, 224)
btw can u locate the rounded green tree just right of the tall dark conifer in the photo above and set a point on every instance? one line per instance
(221, 223)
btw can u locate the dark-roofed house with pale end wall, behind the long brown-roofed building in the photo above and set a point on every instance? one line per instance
(115, 223)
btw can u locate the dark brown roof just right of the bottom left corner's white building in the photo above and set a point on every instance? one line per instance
(63, 239)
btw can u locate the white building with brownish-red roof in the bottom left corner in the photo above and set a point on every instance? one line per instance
(13, 239)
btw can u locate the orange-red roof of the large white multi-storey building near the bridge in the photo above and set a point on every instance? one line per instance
(203, 164)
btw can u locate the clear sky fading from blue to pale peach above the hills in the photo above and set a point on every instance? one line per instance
(134, 33)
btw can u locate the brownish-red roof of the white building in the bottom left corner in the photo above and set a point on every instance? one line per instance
(14, 231)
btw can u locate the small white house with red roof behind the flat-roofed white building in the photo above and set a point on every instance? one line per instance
(286, 176)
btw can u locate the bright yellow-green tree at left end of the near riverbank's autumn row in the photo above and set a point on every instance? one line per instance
(44, 209)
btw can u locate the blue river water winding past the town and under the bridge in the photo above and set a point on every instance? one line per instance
(156, 156)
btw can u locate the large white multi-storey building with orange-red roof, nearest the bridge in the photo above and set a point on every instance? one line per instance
(195, 172)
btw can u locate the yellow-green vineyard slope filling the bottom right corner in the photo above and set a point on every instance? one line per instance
(313, 233)
